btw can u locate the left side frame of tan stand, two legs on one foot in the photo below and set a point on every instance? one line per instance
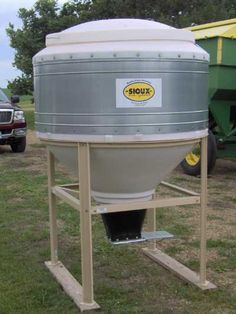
(81, 295)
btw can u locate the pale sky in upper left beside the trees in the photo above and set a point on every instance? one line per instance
(8, 14)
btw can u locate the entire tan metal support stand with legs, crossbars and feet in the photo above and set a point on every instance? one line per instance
(83, 294)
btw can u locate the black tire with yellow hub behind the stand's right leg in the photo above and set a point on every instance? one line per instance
(191, 164)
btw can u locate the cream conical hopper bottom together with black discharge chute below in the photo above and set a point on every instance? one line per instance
(124, 175)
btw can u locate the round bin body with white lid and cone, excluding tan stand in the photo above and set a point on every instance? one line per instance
(121, 80)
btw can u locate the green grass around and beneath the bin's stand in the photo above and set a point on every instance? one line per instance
(125, 281)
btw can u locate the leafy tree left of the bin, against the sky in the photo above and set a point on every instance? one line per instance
(45, 17)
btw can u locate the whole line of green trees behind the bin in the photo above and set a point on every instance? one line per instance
(47, 17)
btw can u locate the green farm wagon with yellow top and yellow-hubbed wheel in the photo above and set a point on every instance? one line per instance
(219, 40)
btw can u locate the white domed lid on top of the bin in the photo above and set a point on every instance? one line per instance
(118, 30)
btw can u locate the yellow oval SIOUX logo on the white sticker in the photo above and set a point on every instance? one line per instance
(139, 91)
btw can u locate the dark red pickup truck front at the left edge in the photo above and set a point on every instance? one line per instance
(12, 123)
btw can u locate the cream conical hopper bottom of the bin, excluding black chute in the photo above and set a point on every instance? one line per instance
(124, 174)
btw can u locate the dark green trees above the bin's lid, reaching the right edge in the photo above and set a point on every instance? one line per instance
(178, 13)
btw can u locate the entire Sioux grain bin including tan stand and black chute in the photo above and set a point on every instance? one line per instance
(119, 103)
